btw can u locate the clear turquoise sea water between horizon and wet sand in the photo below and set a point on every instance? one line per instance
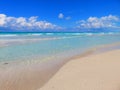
(63, 45)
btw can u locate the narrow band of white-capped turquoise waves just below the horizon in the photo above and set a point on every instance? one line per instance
(56, 34)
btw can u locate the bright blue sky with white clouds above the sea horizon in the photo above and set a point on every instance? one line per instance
(59, 15)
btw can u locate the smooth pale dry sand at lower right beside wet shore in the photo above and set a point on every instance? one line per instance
(95, 72)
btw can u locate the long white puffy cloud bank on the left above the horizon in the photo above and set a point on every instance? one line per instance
(25, 23)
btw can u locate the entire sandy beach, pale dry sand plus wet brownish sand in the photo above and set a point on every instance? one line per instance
(98, 71)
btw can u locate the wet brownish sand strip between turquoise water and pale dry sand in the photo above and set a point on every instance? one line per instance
(24, 73)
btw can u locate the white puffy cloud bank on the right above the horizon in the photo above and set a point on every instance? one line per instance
(109, 21)
